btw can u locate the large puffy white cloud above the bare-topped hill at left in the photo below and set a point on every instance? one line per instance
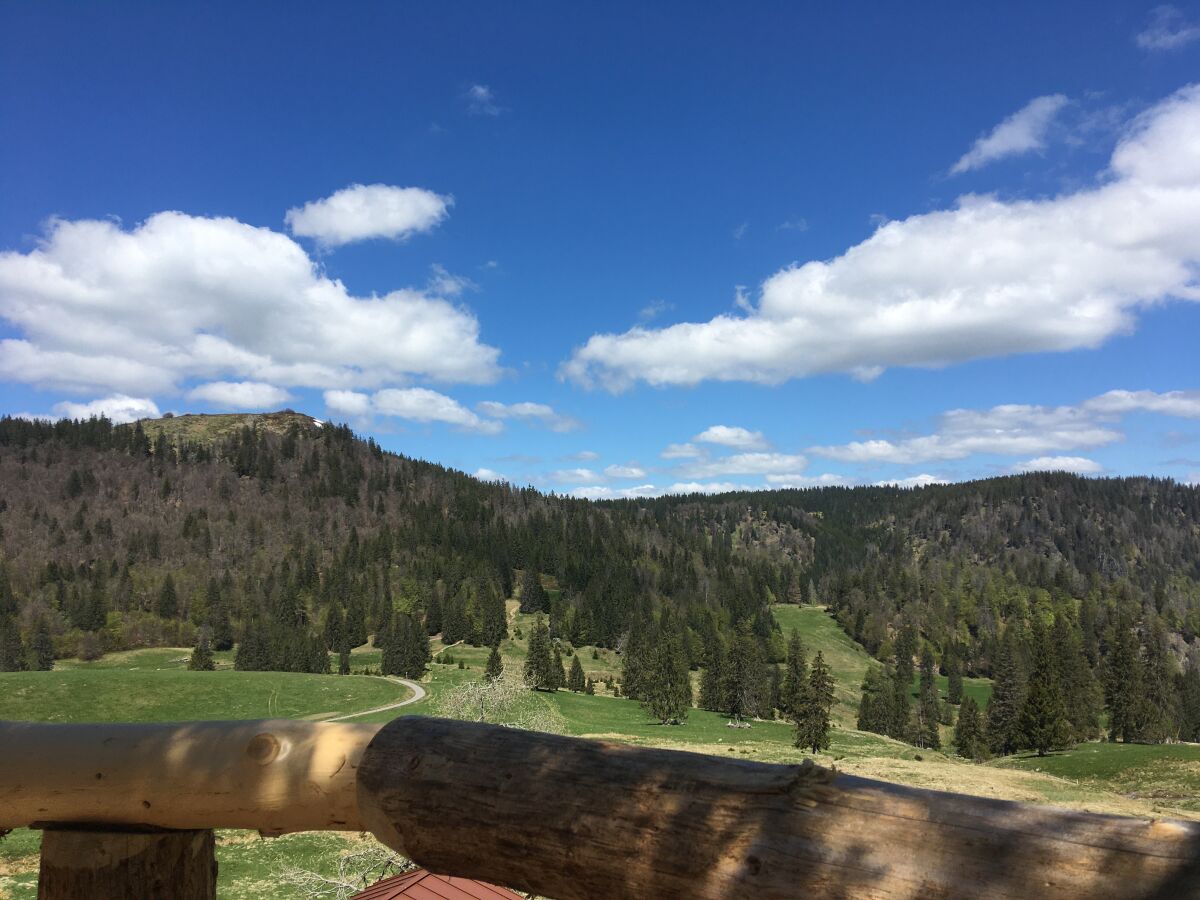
(101, 308)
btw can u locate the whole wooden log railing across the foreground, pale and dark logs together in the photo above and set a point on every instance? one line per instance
(565, 818)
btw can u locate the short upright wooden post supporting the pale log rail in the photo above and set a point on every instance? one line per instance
(130, 866)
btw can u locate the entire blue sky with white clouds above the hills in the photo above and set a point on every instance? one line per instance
(619, 249)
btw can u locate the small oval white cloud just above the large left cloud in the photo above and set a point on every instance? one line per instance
(364, 212)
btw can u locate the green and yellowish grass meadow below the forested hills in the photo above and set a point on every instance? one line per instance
(154, 686)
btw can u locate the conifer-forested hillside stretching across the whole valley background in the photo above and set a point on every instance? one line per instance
(290, 538)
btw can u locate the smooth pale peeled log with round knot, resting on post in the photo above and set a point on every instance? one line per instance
(274, 776)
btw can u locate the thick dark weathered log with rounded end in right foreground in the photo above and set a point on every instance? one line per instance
(577, 819)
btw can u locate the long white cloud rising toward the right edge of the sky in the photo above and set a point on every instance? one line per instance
(988, 278)
